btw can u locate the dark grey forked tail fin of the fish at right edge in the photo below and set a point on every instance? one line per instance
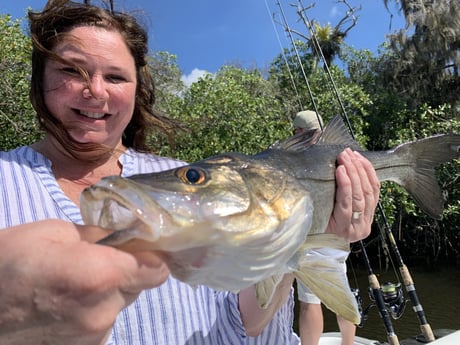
(420, 180)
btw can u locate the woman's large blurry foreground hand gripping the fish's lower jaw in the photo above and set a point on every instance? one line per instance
(57, 288)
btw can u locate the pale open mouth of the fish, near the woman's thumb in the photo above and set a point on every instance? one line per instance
(119, 204)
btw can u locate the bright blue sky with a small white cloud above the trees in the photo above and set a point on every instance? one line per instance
(207, 34)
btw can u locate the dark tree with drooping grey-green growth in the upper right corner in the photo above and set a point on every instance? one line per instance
(423, 59)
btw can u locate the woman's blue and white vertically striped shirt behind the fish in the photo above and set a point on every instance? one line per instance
(171, 314)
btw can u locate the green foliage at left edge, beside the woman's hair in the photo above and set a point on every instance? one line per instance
(18, 125)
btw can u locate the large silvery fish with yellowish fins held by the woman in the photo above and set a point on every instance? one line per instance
(232, 220)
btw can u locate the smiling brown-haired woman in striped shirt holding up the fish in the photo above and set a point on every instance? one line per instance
(93, 94)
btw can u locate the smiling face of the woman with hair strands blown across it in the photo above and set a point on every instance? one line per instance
(100, 115)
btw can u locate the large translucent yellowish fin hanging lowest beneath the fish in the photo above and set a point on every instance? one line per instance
(326, 279)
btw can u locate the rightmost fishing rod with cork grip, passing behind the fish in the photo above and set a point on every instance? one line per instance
(407, 279)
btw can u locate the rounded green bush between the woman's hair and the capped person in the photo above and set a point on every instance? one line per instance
(233, 110)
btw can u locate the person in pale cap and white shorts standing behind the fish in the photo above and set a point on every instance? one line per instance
(311, 322)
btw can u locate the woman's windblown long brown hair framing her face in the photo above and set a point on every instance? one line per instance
(49, 26)
